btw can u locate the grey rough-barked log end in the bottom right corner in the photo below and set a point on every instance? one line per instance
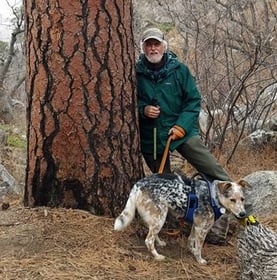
(257, 252)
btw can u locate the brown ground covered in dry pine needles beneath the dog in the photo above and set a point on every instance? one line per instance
(46, 243)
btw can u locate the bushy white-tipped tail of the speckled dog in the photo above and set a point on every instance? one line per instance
(128, 214)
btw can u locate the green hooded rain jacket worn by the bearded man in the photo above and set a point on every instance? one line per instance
(175, 90)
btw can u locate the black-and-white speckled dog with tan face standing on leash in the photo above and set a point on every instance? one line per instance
(155, 195)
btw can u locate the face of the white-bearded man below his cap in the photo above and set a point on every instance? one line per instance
(153, 50)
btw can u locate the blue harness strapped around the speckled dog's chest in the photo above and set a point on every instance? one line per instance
(193, 202)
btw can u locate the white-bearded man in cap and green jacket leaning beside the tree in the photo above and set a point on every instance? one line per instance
(169, 104)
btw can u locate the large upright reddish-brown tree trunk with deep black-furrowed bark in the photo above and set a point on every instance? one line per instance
(83, 144)
